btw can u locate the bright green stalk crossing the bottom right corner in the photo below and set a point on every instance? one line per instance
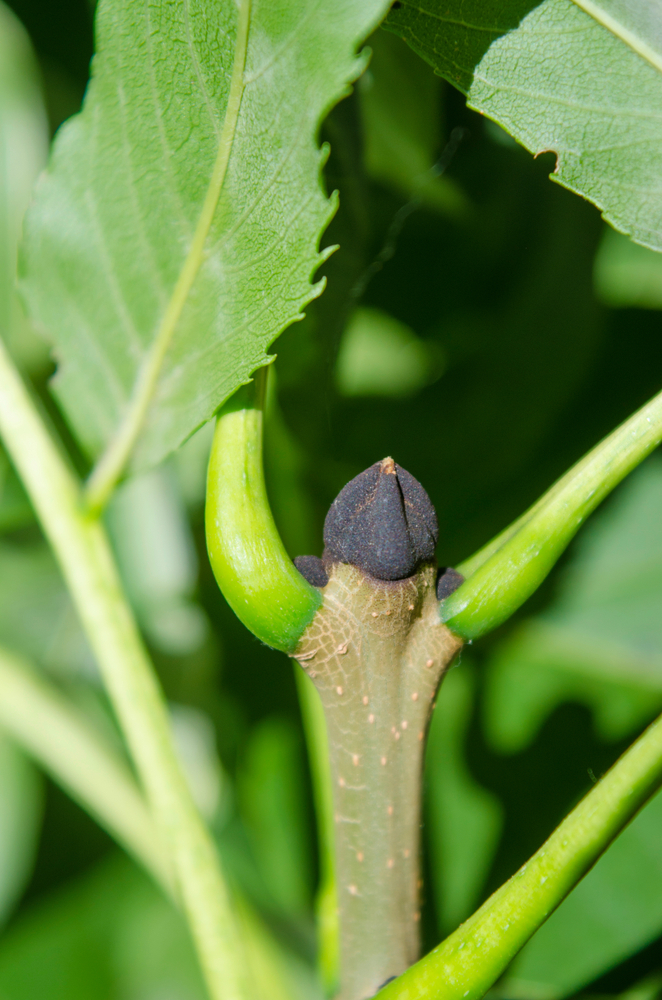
(468, 962)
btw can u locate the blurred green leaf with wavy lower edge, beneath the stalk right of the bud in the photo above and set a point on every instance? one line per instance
(600, 642)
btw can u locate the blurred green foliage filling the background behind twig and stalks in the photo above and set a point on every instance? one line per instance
(483, 327)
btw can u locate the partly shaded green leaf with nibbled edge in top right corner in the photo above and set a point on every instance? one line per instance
(586, 86)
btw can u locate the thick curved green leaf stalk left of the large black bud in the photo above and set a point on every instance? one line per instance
(252, 568)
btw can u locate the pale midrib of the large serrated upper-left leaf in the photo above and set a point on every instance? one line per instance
(109, 468)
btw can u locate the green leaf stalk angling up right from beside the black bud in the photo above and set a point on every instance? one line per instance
(503, 574)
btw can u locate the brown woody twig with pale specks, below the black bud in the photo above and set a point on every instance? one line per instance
(376, 652)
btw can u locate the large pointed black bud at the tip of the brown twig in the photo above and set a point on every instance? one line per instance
(382, 522)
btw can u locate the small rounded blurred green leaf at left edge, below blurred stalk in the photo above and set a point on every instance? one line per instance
(20, 820)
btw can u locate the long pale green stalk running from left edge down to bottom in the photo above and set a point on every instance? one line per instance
(82, 549)
